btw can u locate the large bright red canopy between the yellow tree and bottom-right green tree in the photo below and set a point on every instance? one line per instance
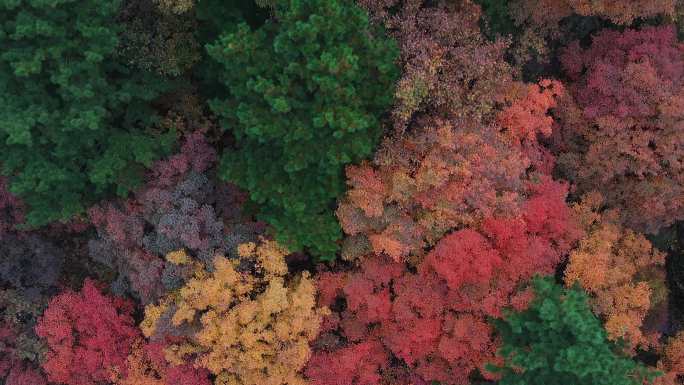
(435, 319)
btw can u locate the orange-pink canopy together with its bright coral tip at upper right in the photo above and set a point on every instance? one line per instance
(448, 174)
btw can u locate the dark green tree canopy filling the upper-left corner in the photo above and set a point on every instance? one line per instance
(73, 118)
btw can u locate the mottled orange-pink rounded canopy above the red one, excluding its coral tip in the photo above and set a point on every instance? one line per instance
(446, 175)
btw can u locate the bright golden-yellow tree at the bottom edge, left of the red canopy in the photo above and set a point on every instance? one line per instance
(253, 327)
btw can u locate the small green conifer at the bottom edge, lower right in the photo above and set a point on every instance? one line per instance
(558, 340)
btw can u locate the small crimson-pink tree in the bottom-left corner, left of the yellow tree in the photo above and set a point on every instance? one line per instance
(89, 336)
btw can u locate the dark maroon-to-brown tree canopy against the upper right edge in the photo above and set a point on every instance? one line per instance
(621, 131)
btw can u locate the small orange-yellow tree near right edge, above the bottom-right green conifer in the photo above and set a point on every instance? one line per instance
(620, 269)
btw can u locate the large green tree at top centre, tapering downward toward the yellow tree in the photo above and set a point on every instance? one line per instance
(303, 97)
